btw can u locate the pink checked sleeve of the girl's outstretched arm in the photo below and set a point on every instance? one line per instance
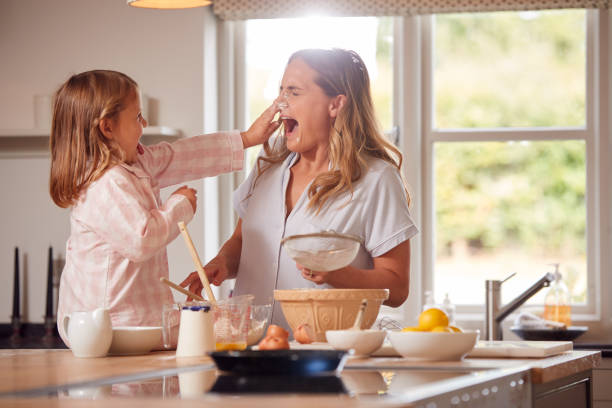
(194, 157)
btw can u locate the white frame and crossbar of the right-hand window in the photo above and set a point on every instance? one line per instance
(595, 133)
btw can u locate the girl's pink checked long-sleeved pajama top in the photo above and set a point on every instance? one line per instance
(119, 229)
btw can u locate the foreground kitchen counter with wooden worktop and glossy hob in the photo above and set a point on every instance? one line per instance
(159, 379)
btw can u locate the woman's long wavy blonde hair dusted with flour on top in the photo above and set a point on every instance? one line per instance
(356, 133)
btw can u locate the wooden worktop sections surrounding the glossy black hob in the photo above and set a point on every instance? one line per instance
(29, 369)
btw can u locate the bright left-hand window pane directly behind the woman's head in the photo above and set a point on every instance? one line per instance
(270, 43)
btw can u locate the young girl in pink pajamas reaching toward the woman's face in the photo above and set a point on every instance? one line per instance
(119, 226)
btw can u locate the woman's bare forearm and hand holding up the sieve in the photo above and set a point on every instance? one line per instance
(391, 270)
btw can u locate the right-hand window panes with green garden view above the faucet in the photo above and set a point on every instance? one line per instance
(508, 141)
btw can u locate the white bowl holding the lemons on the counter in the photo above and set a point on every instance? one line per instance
(433, 346)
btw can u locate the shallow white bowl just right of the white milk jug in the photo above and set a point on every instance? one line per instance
(135, 340)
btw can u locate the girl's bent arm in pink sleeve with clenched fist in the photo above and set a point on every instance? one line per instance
(116, 210)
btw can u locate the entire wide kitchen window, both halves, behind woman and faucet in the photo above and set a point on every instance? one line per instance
(504, 129)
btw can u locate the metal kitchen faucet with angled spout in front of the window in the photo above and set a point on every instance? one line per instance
(495, 314)
